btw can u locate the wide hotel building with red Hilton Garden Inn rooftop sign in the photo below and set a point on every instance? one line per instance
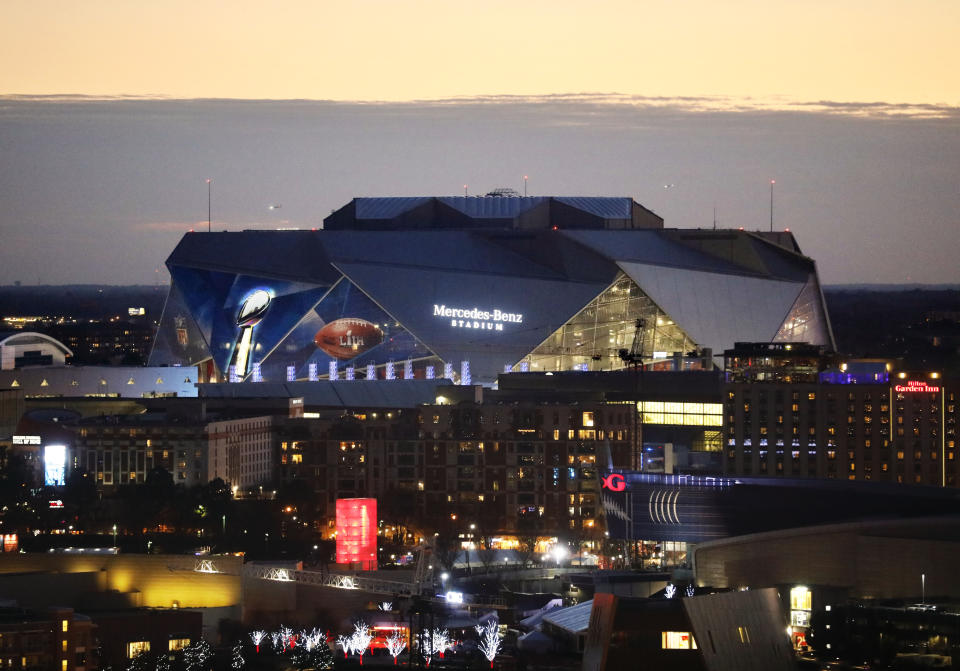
(793, 411)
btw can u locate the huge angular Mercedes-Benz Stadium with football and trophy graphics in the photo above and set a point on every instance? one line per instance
(468, 287)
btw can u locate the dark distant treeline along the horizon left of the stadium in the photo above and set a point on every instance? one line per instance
(82, 301)
